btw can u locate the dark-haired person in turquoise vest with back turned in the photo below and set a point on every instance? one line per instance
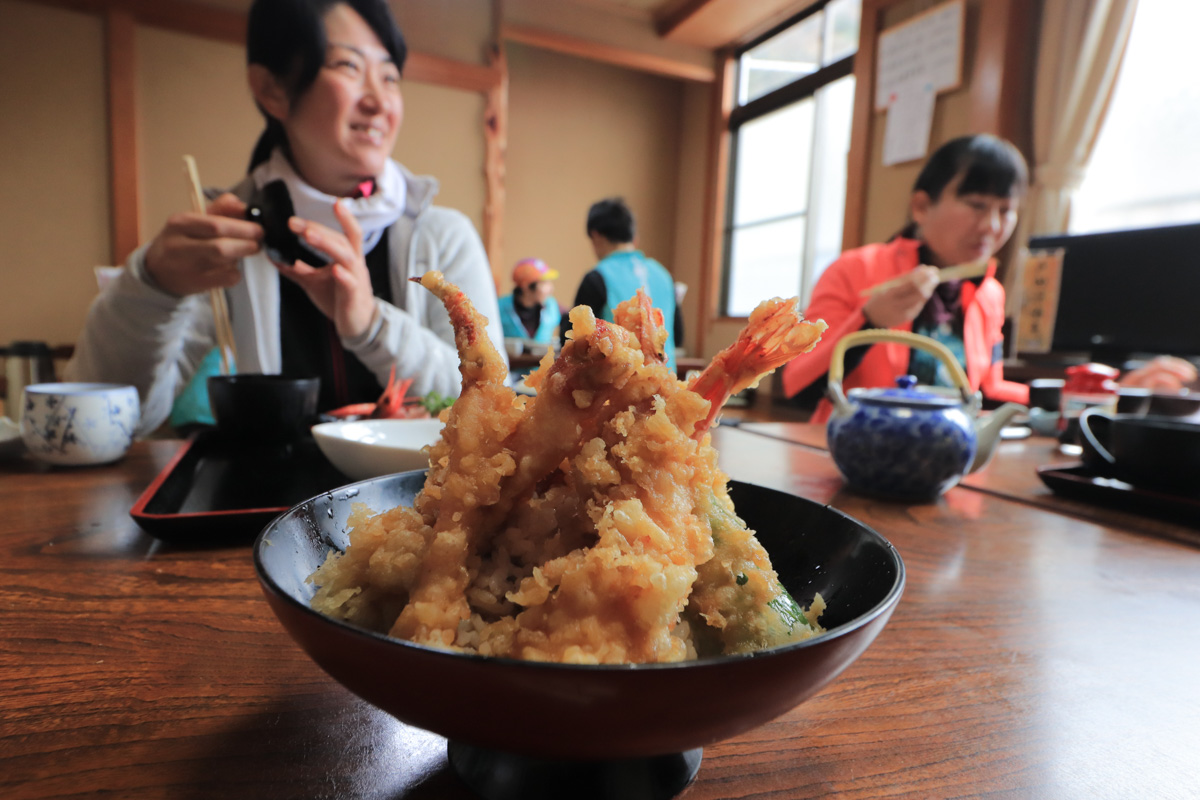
(623, 269)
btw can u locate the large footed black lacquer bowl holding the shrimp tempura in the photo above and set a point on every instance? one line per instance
(526, 730)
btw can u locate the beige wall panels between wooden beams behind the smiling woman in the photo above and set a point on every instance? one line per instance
(193, 99)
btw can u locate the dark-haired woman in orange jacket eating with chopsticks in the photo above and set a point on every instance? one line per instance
(963, 209)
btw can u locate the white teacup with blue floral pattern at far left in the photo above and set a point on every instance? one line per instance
(79, 424)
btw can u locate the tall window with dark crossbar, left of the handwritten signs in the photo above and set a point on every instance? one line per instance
(790, 131)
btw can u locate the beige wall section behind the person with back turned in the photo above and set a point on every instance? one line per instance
(581, 131)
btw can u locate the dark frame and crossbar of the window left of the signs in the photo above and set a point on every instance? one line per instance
(803, 88)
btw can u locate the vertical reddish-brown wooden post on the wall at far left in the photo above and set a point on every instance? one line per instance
(121, 34)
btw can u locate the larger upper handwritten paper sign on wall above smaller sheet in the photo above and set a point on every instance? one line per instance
(926, 50)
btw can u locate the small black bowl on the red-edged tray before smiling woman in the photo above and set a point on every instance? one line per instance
(256, 410)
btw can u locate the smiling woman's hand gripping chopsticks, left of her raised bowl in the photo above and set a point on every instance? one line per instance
(197, 252)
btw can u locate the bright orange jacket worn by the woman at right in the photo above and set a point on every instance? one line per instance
(838, 300)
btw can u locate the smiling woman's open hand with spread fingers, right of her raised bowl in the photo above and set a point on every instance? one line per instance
(341, 291)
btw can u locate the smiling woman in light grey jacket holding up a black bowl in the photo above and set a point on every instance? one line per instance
(326, 75)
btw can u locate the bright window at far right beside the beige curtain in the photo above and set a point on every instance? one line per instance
(1145, 169)
